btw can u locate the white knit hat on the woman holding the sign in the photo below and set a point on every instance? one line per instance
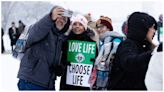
(81, 19)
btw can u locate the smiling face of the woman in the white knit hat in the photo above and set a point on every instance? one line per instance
(78, 28)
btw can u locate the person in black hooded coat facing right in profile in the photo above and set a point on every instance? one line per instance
(133, 54)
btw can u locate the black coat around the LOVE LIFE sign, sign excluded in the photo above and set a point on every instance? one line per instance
(82, 37)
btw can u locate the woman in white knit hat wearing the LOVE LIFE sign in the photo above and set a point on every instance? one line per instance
(78, 52)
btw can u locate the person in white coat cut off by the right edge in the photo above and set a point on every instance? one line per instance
(154, 74)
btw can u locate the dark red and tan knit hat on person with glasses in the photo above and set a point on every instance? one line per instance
(105, 21)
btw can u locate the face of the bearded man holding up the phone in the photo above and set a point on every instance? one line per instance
(60, 22)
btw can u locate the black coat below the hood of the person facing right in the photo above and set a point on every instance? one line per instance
(130, 66)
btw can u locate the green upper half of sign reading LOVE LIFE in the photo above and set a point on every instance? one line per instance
(81, 51)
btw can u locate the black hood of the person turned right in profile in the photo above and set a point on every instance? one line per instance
(138, 25)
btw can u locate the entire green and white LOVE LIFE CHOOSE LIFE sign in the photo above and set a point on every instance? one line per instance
(79, 55)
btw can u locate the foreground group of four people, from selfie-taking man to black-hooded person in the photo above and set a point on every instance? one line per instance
(62, 46)
